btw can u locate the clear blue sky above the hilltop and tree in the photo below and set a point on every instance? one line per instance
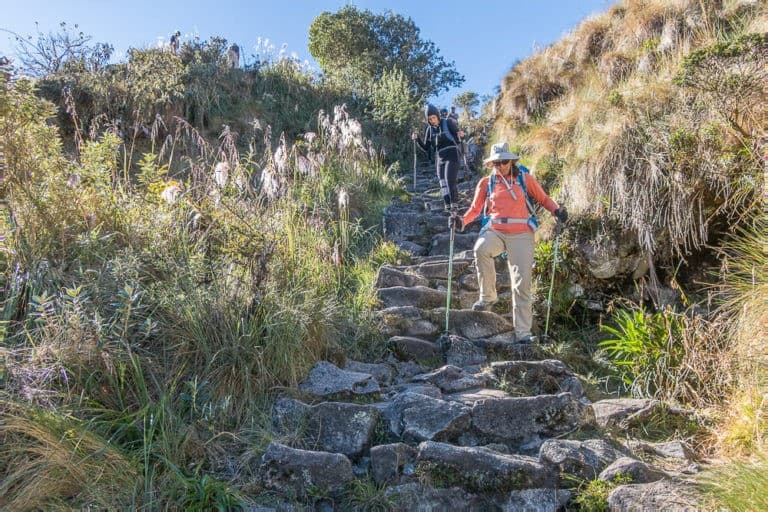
(484, 38)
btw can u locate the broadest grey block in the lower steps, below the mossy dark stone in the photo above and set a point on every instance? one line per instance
(523, 422)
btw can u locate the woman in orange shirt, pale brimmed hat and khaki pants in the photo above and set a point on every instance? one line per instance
(504, 201)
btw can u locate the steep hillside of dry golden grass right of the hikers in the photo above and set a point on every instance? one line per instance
(651, 119)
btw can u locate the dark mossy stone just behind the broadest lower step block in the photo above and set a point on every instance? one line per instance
(548, 376)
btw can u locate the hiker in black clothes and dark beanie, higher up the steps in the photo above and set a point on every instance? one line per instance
(442, 138)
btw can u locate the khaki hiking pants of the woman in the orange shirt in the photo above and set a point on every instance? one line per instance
(519, 248)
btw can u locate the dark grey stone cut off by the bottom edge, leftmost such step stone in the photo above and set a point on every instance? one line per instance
(414, 497)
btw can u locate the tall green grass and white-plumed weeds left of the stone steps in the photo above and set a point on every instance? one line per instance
(152, 333)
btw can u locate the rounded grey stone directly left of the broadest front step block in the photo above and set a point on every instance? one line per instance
(417, 417)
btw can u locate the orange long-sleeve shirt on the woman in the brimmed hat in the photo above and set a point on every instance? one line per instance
(502, 204)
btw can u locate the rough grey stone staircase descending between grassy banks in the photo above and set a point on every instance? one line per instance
(459, 420)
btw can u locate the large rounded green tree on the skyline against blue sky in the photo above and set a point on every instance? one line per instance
(355, 48)
